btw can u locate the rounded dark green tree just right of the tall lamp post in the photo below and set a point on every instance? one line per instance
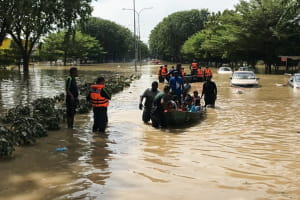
(169, 35)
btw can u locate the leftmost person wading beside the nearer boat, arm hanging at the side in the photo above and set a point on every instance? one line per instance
(149, 95)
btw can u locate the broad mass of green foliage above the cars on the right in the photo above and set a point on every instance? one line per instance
(256, 30)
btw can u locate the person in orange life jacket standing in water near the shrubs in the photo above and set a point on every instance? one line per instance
(99, 97)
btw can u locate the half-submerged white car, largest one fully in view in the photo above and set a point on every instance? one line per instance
(244, 79)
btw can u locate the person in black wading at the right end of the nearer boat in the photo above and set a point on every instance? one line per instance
(209, 91)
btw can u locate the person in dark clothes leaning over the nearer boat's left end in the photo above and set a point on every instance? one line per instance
(157, 112)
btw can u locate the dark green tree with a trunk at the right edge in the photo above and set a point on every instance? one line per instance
(270, 27)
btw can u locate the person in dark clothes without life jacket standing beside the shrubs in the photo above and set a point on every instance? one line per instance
(71, 96)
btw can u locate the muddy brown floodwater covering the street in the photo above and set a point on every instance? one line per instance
(246, 148)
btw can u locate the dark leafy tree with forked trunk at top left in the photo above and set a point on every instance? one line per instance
(35, 18)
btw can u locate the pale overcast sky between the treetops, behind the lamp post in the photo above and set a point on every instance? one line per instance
(149, 18)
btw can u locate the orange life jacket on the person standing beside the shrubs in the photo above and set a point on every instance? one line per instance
(95, 96)
